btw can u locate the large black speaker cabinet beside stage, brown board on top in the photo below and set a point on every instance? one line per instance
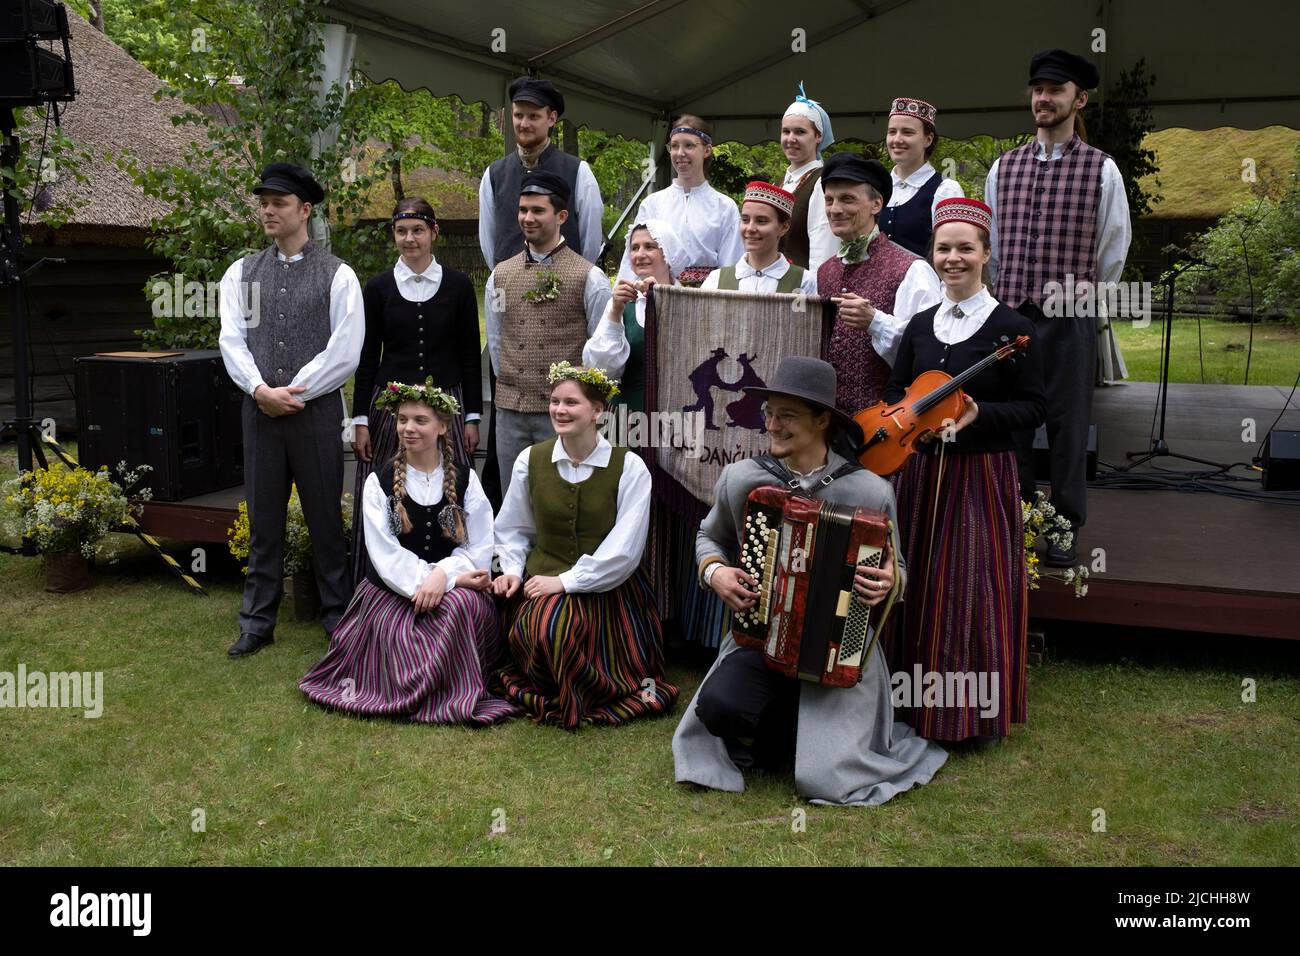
(179, 416)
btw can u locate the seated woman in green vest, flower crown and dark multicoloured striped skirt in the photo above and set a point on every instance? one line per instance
(586, 643)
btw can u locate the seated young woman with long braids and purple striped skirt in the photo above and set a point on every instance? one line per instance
(422, 633)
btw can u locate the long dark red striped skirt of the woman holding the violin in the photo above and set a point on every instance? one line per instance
(967, 609)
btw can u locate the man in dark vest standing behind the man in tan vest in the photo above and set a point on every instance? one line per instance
(536, 107)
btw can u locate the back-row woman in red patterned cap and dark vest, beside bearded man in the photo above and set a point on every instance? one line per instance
(911, 140)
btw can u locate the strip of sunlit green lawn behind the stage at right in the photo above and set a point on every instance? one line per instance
(1275, 361)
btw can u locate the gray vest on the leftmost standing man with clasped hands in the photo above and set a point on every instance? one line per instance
(293, 323)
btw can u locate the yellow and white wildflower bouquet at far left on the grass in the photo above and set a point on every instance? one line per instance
(70, 511)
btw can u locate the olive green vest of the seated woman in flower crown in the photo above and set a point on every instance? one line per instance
(571, 520)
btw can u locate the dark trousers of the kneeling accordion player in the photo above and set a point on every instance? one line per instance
(746, 700)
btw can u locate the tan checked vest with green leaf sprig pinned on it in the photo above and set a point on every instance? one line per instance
(534, 335)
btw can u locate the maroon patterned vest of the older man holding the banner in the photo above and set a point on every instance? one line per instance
(861, 374)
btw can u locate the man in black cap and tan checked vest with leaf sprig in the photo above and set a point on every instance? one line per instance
(541, 305)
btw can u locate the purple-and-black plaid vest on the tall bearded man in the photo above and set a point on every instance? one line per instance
(1047, 220)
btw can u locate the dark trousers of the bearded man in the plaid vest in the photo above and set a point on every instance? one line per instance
(1068, 349)
